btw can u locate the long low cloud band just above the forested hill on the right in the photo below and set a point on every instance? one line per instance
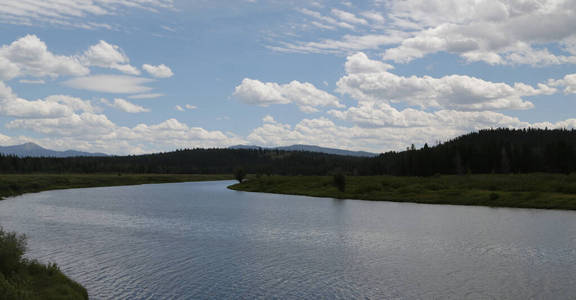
(444, 126)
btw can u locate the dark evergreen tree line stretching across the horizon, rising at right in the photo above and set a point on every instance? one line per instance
(485, 151)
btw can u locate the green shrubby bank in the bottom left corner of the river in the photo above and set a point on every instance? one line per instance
(25, 279)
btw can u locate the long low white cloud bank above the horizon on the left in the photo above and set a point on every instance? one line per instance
(96, 133)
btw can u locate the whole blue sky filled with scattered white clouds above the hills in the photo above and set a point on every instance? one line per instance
(141, 76)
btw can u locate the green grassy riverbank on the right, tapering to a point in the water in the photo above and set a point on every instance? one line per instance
(547, 191)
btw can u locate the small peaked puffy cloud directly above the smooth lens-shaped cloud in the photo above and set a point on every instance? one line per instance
(106, 55)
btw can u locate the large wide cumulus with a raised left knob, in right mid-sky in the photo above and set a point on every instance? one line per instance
(453, 91)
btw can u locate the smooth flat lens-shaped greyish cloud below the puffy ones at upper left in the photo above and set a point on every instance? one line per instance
(117, 84)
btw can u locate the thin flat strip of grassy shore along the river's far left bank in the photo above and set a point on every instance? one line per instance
(17, 184)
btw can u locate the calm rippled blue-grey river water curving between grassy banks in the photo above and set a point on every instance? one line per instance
(203, 241)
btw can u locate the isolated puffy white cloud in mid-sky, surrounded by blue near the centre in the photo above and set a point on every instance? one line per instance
(305, 95)
